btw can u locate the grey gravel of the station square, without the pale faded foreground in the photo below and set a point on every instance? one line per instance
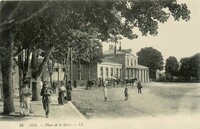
(157, 99)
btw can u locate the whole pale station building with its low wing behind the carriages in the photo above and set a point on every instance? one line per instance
(116, 63)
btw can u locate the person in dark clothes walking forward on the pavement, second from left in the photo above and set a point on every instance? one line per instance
(46, 97)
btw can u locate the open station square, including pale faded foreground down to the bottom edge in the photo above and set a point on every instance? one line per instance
(161, 105)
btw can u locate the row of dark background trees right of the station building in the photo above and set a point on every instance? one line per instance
(187, 70)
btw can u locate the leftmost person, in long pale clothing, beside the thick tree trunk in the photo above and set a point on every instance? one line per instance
(25, 96)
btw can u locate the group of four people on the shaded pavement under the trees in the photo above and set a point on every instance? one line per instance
(46, 92)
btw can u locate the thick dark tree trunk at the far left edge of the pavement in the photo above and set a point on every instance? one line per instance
(7, 68)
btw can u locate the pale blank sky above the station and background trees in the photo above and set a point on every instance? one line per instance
(175, 38)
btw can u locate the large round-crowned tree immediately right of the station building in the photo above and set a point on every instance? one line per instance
(151, 58)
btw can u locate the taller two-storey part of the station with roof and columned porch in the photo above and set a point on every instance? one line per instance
(130, 67)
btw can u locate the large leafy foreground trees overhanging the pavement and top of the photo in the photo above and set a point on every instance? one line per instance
(54, 30)
